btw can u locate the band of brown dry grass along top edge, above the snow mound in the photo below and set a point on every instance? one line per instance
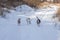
(31, 3)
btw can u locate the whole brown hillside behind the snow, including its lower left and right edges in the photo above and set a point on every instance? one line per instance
(12, 4)
